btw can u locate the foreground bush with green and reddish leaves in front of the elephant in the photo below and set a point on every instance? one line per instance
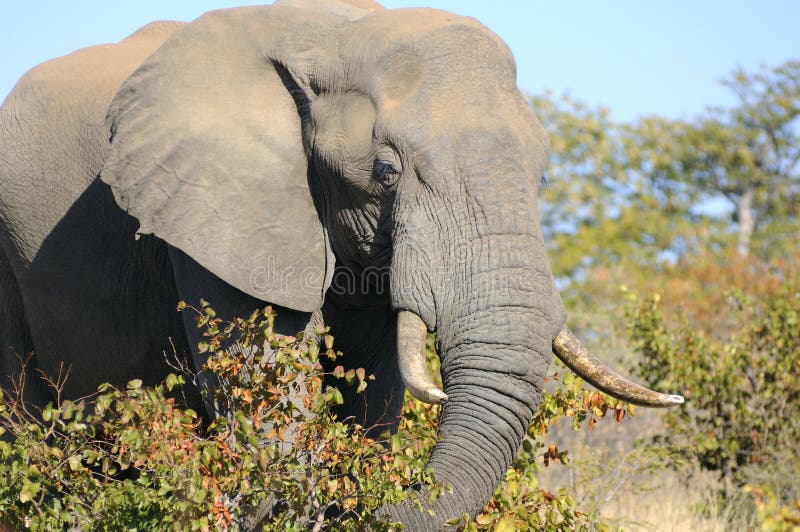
(134, 457)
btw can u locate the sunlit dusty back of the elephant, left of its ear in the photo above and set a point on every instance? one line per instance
(53, 138)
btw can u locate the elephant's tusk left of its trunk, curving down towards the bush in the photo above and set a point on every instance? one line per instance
(411, 334)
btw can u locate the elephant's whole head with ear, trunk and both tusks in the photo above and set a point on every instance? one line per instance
(273, 144)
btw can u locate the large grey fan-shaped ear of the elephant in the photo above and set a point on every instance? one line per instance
(207, 153)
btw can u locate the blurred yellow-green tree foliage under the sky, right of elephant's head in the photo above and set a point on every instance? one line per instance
(659, 189)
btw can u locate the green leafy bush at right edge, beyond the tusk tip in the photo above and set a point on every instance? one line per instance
(742, 385)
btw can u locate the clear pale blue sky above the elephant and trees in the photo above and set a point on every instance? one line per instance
(663, 57)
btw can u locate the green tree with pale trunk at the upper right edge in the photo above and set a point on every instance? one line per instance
(748, 156)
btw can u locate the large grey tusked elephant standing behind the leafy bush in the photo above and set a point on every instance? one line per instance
(256, 156)
